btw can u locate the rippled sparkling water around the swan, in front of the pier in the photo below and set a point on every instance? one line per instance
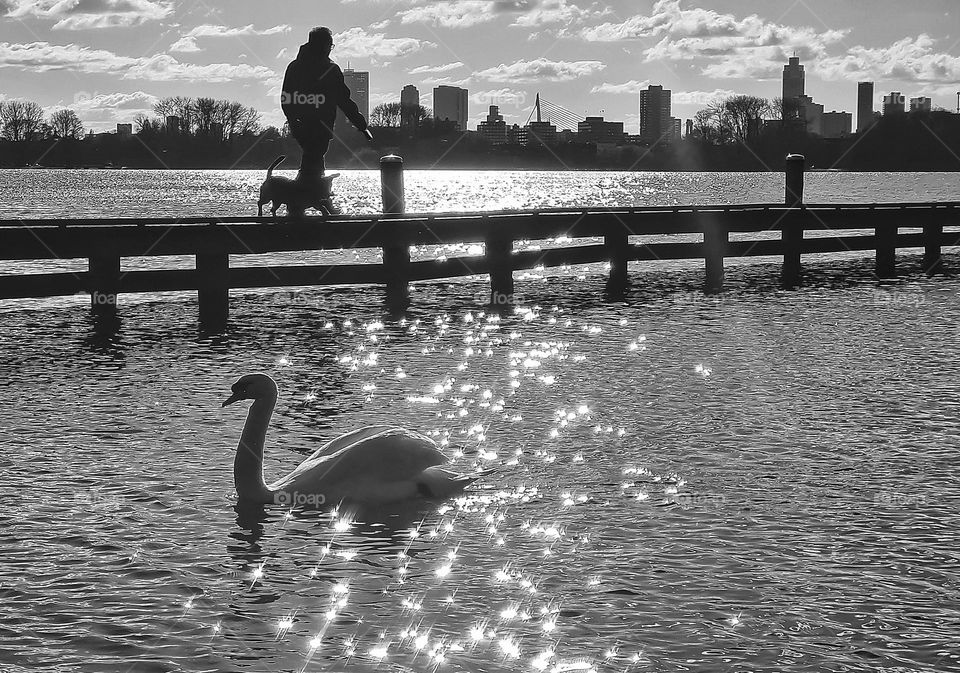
(760, 481)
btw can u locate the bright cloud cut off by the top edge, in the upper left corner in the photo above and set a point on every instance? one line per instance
(88, 14)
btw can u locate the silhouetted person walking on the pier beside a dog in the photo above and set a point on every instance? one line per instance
(313, 90)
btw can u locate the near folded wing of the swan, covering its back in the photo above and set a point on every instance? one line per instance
(381, 454)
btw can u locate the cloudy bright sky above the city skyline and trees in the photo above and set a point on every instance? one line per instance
(110, 60)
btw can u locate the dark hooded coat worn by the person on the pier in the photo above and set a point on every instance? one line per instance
(313, 89)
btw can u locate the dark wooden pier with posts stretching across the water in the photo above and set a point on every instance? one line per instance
(103, 242)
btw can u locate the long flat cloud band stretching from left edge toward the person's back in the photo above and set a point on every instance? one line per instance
(44, 57)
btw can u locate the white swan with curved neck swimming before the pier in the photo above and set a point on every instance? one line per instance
(379, 464)
